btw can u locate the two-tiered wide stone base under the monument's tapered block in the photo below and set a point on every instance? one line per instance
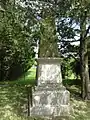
(50, 102)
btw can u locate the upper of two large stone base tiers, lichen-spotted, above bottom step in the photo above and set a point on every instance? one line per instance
(54, 97)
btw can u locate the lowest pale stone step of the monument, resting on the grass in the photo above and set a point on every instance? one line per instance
(47, 110)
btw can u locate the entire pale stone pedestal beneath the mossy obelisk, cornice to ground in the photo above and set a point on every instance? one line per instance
(50, 97)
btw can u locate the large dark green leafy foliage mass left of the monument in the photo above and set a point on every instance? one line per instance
(16, 45)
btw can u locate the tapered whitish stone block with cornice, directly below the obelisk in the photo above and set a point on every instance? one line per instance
(49, 71)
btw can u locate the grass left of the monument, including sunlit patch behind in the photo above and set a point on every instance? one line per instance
(14, 97)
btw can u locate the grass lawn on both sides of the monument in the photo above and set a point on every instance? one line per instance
(14, 102)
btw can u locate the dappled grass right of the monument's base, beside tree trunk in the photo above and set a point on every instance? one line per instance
(80, 108)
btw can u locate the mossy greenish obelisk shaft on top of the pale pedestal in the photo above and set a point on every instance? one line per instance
(48, 39)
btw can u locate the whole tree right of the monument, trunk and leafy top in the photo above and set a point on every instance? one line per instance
(81, 10)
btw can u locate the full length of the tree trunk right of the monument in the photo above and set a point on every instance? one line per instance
(84, 61)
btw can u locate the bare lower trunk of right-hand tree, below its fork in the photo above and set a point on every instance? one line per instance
(84, 69)
